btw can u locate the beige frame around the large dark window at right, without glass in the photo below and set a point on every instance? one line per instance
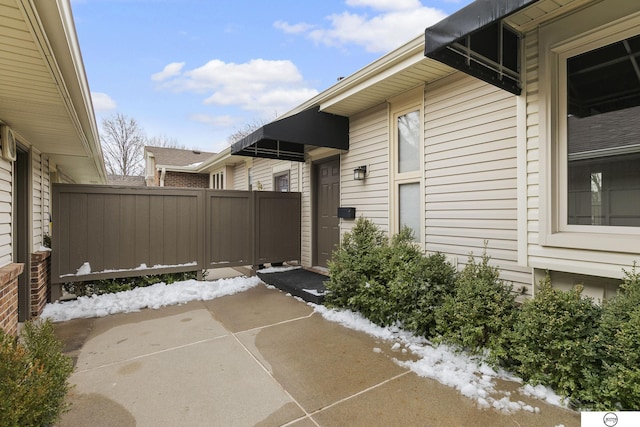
(558, 42)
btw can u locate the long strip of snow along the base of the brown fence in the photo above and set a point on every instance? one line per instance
(154, 296)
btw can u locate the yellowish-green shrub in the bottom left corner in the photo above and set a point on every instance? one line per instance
(33, 377)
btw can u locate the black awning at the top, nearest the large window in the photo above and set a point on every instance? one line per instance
(475, 40)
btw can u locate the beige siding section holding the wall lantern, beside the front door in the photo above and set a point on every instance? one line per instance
(368, 146)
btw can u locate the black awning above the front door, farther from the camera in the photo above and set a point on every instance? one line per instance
(285, 139)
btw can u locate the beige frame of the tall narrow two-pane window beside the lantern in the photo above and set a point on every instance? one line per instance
(399, 106)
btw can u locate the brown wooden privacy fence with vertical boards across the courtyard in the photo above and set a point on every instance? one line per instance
(103, 232)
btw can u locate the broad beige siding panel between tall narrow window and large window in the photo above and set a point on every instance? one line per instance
(471, 174)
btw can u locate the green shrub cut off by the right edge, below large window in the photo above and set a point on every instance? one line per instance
(618, 340)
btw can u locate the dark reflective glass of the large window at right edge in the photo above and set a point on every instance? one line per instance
(603, 135)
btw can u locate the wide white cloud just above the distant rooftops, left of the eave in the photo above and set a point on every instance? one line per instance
(259, 85)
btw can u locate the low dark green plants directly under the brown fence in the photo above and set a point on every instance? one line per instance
(109, 286)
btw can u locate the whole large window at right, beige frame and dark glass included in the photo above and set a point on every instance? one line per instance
(591, 187)
